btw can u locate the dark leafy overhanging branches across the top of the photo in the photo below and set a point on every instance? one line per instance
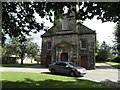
(18, 17)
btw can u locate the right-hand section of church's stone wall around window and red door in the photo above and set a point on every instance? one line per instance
(90, 51)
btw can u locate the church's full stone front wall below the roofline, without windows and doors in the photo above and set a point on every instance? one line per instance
(74, 53)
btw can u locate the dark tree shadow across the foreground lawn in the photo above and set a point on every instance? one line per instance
(50, 83)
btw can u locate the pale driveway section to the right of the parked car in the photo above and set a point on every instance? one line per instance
(104, 73)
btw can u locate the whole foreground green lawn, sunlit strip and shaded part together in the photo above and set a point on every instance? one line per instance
(35, 80)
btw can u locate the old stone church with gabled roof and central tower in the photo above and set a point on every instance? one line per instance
(69, 41)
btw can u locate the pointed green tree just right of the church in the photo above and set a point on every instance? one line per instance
(104, 52)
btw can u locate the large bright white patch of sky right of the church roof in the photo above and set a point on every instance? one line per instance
(104, 30)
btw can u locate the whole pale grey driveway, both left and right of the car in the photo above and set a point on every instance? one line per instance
(103, 73)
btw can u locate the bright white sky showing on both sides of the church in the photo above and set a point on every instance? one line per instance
(104, 30)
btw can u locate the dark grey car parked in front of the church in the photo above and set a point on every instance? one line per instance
(68, 68)
